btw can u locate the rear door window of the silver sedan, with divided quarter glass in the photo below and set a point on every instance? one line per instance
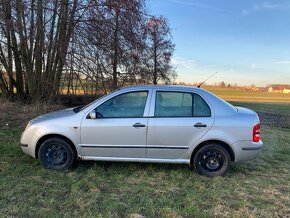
(180, 104)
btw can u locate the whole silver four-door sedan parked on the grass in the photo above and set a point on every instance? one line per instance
(158, 124)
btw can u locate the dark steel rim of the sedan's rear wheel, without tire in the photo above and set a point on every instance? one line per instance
(211, 161)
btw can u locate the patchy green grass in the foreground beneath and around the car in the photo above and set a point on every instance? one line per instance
(259, 188)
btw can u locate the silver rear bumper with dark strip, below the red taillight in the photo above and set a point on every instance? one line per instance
(247, 150)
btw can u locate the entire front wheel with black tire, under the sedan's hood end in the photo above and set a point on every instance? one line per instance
(56, 154)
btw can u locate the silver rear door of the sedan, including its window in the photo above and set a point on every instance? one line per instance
(178, 120)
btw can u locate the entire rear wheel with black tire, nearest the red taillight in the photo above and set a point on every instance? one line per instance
(212, 160)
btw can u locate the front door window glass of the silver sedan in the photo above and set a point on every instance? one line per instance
(123, 106)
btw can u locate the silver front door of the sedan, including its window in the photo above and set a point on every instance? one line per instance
(119, 129)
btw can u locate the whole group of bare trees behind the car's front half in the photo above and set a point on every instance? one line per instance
(46, 46)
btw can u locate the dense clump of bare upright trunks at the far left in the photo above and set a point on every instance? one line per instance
(35, 39)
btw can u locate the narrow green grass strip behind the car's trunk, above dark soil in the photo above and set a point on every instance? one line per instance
(276, 108)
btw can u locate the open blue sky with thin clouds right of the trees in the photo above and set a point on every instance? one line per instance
(245, 41)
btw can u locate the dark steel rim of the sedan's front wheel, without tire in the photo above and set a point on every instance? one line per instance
(56, 155)
